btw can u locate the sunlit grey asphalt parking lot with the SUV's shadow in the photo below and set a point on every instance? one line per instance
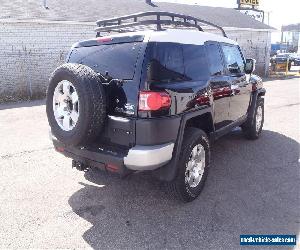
(252, 188)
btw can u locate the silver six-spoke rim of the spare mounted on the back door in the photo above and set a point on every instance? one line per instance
(66, 105)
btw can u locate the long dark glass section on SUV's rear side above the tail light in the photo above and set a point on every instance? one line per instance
(173, 62)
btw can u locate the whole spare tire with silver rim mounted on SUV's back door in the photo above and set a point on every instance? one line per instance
(76, 104)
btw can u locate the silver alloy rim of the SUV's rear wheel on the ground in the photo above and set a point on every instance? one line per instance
(195, 166)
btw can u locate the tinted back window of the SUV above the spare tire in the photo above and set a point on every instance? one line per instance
(119, 60)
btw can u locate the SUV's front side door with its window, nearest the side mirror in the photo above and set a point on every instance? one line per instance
(239, 81)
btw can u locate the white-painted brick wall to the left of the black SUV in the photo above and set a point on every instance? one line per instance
(30, 51)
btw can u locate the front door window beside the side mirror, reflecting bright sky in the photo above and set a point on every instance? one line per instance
(233, 59)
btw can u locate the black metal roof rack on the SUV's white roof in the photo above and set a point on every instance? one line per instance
(157, 18)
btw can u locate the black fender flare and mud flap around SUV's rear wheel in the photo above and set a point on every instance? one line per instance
(169, 171)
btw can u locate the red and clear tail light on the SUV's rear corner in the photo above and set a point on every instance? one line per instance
(151, 101)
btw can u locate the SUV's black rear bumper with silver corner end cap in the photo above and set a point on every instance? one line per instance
(136, 158)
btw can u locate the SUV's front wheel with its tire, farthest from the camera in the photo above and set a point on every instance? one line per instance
(252, 128)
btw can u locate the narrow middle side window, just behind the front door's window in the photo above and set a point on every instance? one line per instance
(215, 59)
